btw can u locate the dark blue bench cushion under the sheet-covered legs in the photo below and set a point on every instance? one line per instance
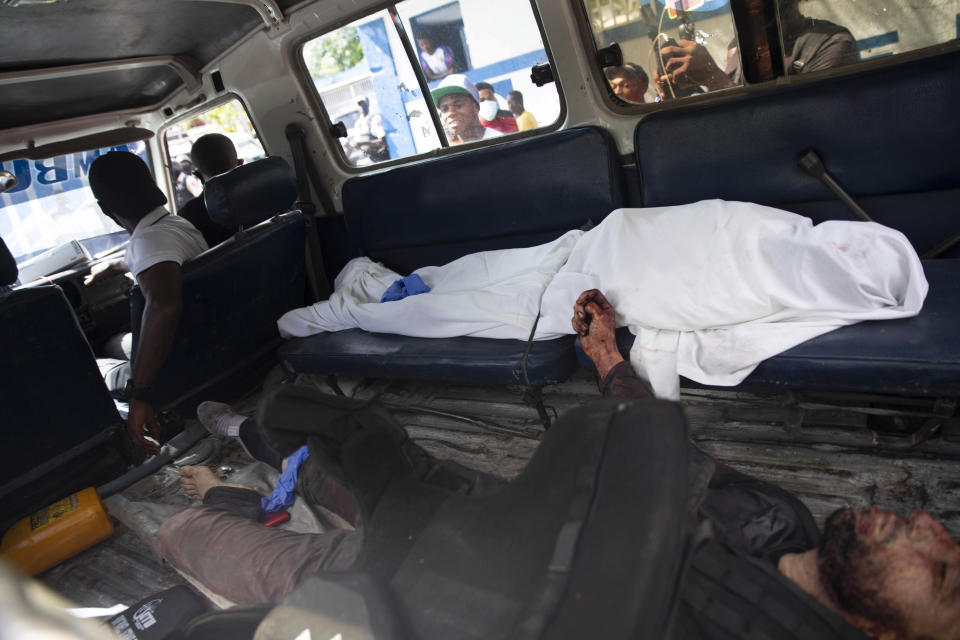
(360, 353)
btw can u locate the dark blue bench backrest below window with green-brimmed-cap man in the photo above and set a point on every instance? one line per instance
(515, 194)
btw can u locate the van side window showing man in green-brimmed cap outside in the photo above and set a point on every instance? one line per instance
(367, 82)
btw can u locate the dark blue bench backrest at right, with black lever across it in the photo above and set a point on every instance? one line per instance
(889, 137)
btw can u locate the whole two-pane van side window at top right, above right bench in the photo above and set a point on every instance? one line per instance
(700, 49)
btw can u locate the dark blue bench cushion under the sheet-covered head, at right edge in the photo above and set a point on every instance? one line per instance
(917, 356)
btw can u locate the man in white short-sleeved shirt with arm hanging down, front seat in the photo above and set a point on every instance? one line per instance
(159, 245)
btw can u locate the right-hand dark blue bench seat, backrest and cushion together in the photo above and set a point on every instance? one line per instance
(889, 136)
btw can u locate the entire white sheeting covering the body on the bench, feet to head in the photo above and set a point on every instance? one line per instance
(709, 289)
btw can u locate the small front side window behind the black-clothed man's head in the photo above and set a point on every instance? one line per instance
(229, 119)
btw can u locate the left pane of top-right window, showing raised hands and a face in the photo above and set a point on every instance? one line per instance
(670, 51)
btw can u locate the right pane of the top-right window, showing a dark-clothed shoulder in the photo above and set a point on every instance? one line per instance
(819, 34)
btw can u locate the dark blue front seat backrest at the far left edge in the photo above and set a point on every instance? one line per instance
(54, 403)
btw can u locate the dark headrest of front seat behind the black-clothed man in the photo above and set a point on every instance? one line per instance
(251, 193)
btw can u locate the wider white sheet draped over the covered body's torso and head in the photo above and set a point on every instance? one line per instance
(714, 288)
